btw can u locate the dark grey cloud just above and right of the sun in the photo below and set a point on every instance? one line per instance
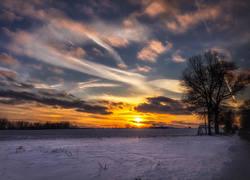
(163, 105)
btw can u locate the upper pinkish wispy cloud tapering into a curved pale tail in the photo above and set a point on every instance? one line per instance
(59, 24)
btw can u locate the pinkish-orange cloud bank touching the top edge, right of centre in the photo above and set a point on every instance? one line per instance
(176, 20)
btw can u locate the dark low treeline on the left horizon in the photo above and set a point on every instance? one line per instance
(24, 125)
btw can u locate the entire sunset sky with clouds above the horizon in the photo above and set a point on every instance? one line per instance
(112, 63)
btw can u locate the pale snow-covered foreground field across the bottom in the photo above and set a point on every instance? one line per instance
(184, 157)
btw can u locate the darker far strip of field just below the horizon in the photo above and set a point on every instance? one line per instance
(93, 133)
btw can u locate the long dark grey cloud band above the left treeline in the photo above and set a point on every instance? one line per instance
(25, 97)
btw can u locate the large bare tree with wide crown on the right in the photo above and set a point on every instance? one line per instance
(209, 80)
